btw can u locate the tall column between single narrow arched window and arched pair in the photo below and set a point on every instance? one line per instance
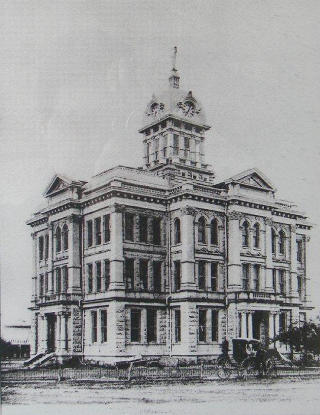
(188, 248)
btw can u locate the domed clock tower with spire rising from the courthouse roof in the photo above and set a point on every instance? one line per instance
(174, 133)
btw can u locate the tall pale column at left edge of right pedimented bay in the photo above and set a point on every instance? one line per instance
(234, 266)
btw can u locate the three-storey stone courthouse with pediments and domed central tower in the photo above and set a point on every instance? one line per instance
(161, 259)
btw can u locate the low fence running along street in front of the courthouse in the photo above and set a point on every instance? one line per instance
(198, 372)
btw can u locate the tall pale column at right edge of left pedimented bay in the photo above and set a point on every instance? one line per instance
(74, 253)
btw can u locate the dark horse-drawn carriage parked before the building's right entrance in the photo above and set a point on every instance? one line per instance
(248, 357)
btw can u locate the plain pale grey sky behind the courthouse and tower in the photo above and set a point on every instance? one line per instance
(76, 77)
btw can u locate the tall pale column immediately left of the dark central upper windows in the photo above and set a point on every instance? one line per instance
(116, 244)
